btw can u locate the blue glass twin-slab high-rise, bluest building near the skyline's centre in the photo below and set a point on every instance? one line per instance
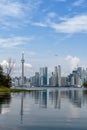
(43, 76)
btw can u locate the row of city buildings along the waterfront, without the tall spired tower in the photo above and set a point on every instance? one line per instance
(42, 78)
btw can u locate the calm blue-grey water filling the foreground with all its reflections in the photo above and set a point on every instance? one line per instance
(50, 109)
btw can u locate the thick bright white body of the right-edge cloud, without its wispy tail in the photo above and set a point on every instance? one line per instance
(75, 24)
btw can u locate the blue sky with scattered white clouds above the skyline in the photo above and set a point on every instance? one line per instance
(50, 32)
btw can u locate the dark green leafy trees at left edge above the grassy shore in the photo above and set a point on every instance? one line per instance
(5, 79)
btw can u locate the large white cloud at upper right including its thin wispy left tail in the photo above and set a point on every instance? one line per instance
(75, 24)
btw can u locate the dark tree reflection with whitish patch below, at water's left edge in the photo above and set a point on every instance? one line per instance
(5, 99)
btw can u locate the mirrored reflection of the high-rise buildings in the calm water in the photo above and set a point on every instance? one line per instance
(56, 96)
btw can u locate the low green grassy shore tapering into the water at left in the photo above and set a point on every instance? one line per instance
(4, 89)
